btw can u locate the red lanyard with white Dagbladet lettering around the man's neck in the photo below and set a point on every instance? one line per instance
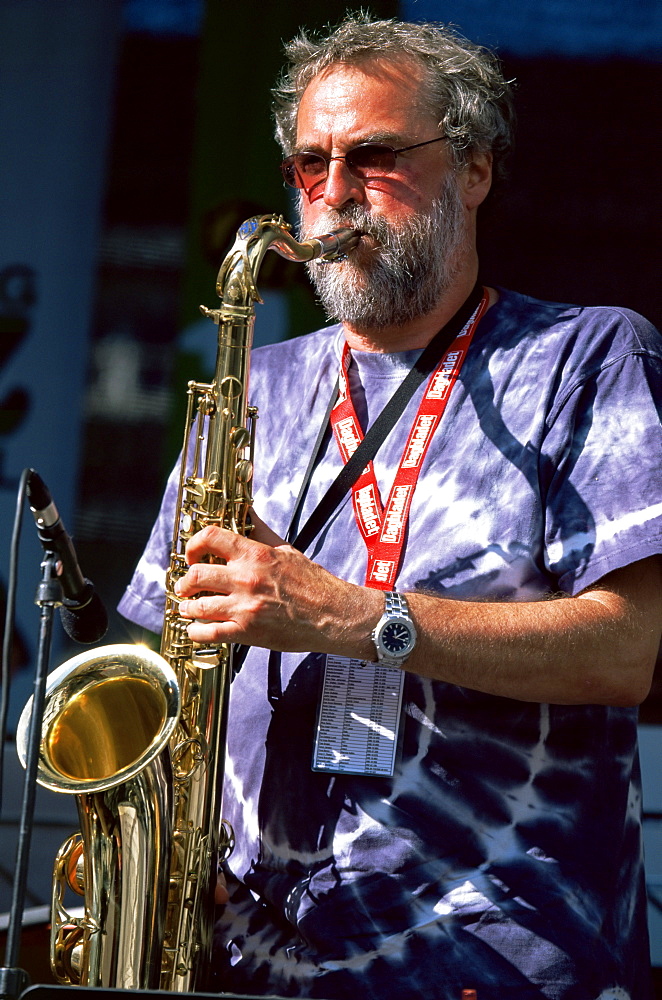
(384, 528)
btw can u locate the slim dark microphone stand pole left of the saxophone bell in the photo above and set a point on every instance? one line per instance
(14, 980)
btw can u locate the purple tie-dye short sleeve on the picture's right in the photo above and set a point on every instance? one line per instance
(601, 469)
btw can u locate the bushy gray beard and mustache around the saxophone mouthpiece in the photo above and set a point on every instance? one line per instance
(401, 278)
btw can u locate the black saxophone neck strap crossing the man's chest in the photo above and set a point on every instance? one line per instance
(380, 429)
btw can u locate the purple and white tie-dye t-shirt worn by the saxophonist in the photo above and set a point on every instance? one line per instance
(504, 854)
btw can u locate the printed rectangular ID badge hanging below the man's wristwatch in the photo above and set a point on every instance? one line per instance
(358, 718)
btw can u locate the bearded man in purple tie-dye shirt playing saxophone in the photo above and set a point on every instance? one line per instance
(432, 768)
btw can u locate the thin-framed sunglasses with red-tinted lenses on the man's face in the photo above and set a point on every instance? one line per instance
(368, 159)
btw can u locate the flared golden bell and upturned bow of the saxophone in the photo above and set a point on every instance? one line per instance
(107, 717)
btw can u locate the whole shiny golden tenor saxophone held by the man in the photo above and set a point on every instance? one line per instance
(139, 737)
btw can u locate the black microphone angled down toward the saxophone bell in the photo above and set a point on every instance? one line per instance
(83, 615)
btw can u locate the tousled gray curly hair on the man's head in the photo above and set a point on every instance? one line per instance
(464, 87)
